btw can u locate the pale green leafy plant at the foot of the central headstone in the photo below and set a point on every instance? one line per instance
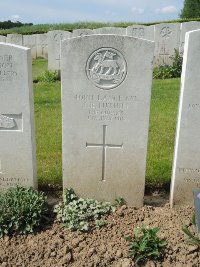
(81, 214)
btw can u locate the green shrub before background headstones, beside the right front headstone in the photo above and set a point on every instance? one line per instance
(166, 71)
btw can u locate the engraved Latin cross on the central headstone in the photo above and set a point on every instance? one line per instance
(104, 146)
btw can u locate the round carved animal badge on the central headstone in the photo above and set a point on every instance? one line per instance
(106, 68)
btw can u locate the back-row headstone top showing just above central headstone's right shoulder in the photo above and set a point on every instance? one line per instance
(141, 31)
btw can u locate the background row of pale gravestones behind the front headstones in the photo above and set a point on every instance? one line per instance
(167, 37)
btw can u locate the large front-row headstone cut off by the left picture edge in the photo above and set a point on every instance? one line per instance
(17, 141)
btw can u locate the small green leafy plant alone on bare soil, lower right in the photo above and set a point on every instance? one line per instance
(145, 244)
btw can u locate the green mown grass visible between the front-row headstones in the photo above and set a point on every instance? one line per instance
(164, 106)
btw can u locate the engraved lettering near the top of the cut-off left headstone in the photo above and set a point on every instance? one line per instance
(7, 71)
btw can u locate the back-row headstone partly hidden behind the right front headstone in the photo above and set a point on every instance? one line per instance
(186, 27)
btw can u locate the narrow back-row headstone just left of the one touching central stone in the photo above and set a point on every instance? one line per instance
(42, 45)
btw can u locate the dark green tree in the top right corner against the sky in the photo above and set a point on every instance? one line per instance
(191, 9)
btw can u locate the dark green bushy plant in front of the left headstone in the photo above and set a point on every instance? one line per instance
(22, 210)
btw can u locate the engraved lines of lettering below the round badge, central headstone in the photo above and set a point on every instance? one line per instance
(105, 107)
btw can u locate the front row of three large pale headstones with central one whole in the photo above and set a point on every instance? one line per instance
(106, 91)
